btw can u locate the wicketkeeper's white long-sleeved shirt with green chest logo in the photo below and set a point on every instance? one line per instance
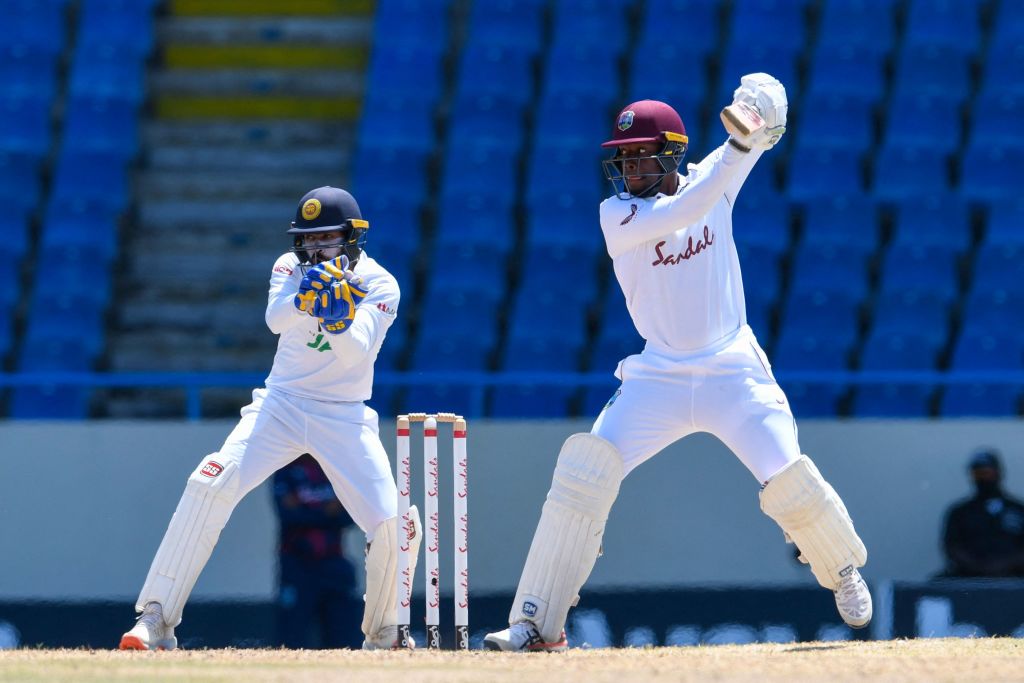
(315, 364)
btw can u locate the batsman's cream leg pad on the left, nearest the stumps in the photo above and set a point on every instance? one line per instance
(568, 540)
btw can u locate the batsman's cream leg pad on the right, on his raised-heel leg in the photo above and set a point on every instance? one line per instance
(810, 511)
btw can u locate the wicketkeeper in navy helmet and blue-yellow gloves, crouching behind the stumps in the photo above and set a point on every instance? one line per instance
(331, 306)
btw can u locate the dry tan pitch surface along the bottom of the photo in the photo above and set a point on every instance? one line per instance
(988, 660)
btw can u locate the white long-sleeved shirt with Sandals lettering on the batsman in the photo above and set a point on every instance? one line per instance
(675, 259)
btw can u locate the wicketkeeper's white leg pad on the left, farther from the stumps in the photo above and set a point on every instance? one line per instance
(211, 494)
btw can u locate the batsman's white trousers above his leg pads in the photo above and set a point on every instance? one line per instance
(728, 391)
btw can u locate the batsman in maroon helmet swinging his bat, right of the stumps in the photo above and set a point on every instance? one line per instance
(669, 232)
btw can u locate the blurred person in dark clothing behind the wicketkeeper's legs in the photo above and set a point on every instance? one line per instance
(317, 602)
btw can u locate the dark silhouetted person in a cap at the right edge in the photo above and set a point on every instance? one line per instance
(985, 535)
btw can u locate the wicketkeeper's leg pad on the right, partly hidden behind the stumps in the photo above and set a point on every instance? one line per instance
(382, 566)
